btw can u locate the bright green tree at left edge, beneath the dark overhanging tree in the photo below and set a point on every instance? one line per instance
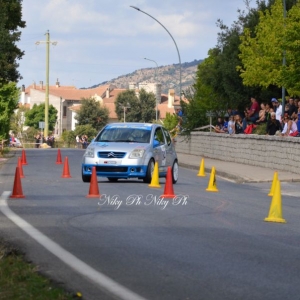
(9, 97)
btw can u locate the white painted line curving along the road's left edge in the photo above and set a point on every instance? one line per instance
(78, 265)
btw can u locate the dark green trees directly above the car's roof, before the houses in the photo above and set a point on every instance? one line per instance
(137, 109)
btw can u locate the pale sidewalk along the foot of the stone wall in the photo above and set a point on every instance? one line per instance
(234, 171)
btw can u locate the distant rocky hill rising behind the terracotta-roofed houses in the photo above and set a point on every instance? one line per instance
(168, 76)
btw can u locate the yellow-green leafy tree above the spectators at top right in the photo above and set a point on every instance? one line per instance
(262, 52)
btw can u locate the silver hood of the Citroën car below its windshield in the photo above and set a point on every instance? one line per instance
(120, 146)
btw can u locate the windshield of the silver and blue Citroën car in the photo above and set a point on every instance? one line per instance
(119, 134)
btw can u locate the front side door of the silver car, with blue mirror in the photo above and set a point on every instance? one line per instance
(159, 150)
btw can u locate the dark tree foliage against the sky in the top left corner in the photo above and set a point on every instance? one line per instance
(10, 22)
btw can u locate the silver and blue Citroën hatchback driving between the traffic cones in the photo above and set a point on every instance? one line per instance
(130, 150)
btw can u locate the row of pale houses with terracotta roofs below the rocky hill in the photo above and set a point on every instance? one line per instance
(67, 100)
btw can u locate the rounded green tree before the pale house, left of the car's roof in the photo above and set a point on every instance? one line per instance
(91, 112)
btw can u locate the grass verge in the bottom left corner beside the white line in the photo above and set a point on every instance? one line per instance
(21, 280)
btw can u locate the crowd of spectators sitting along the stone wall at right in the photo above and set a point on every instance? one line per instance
(270, 114)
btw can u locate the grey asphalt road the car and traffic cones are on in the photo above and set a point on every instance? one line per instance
(204, 246)
